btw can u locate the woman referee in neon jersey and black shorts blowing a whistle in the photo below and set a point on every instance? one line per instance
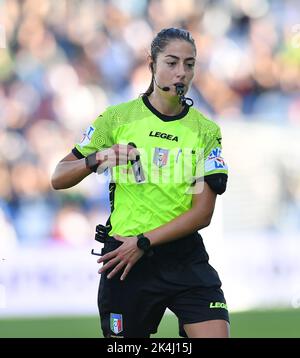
(166, 170)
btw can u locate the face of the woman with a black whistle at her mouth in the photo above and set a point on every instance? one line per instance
(176, 65)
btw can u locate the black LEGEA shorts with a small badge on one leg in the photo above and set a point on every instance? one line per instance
(178, 276)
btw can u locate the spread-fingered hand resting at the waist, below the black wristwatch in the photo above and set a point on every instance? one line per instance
(124, 256)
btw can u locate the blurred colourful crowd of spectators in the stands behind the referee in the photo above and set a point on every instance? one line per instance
(62, 62)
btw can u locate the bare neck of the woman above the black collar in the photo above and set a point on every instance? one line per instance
(164, 103)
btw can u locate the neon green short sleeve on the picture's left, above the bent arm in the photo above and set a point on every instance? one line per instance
(96, 137)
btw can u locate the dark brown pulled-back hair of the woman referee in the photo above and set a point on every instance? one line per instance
(160, 42)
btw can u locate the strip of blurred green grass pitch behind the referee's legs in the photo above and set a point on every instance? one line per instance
(265, 324)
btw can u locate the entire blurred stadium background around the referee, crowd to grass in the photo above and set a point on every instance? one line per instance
(61, 63)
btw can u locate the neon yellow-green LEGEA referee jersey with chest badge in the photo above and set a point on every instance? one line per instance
(175, 151)
